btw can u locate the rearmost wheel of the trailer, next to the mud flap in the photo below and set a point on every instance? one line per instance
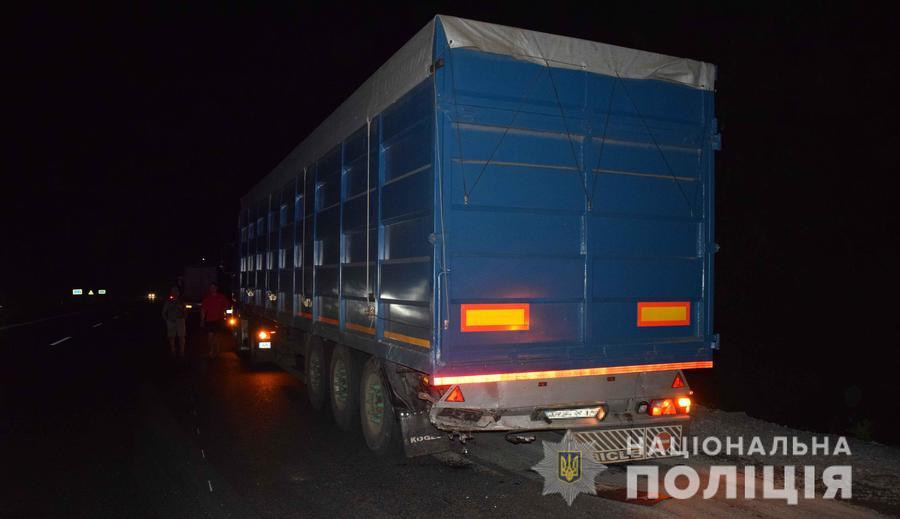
(376, 412)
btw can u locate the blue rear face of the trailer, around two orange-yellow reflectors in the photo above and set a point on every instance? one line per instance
(580, 194)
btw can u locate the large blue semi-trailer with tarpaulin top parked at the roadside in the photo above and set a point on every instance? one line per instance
(500, 231)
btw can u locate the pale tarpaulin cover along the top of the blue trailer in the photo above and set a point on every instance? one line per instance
(409, 66)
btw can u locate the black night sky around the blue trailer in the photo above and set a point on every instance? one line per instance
(136, 130)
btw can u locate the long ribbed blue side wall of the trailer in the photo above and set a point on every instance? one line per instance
(346, 249)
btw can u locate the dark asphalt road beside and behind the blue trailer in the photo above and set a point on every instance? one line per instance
(104, 424)
